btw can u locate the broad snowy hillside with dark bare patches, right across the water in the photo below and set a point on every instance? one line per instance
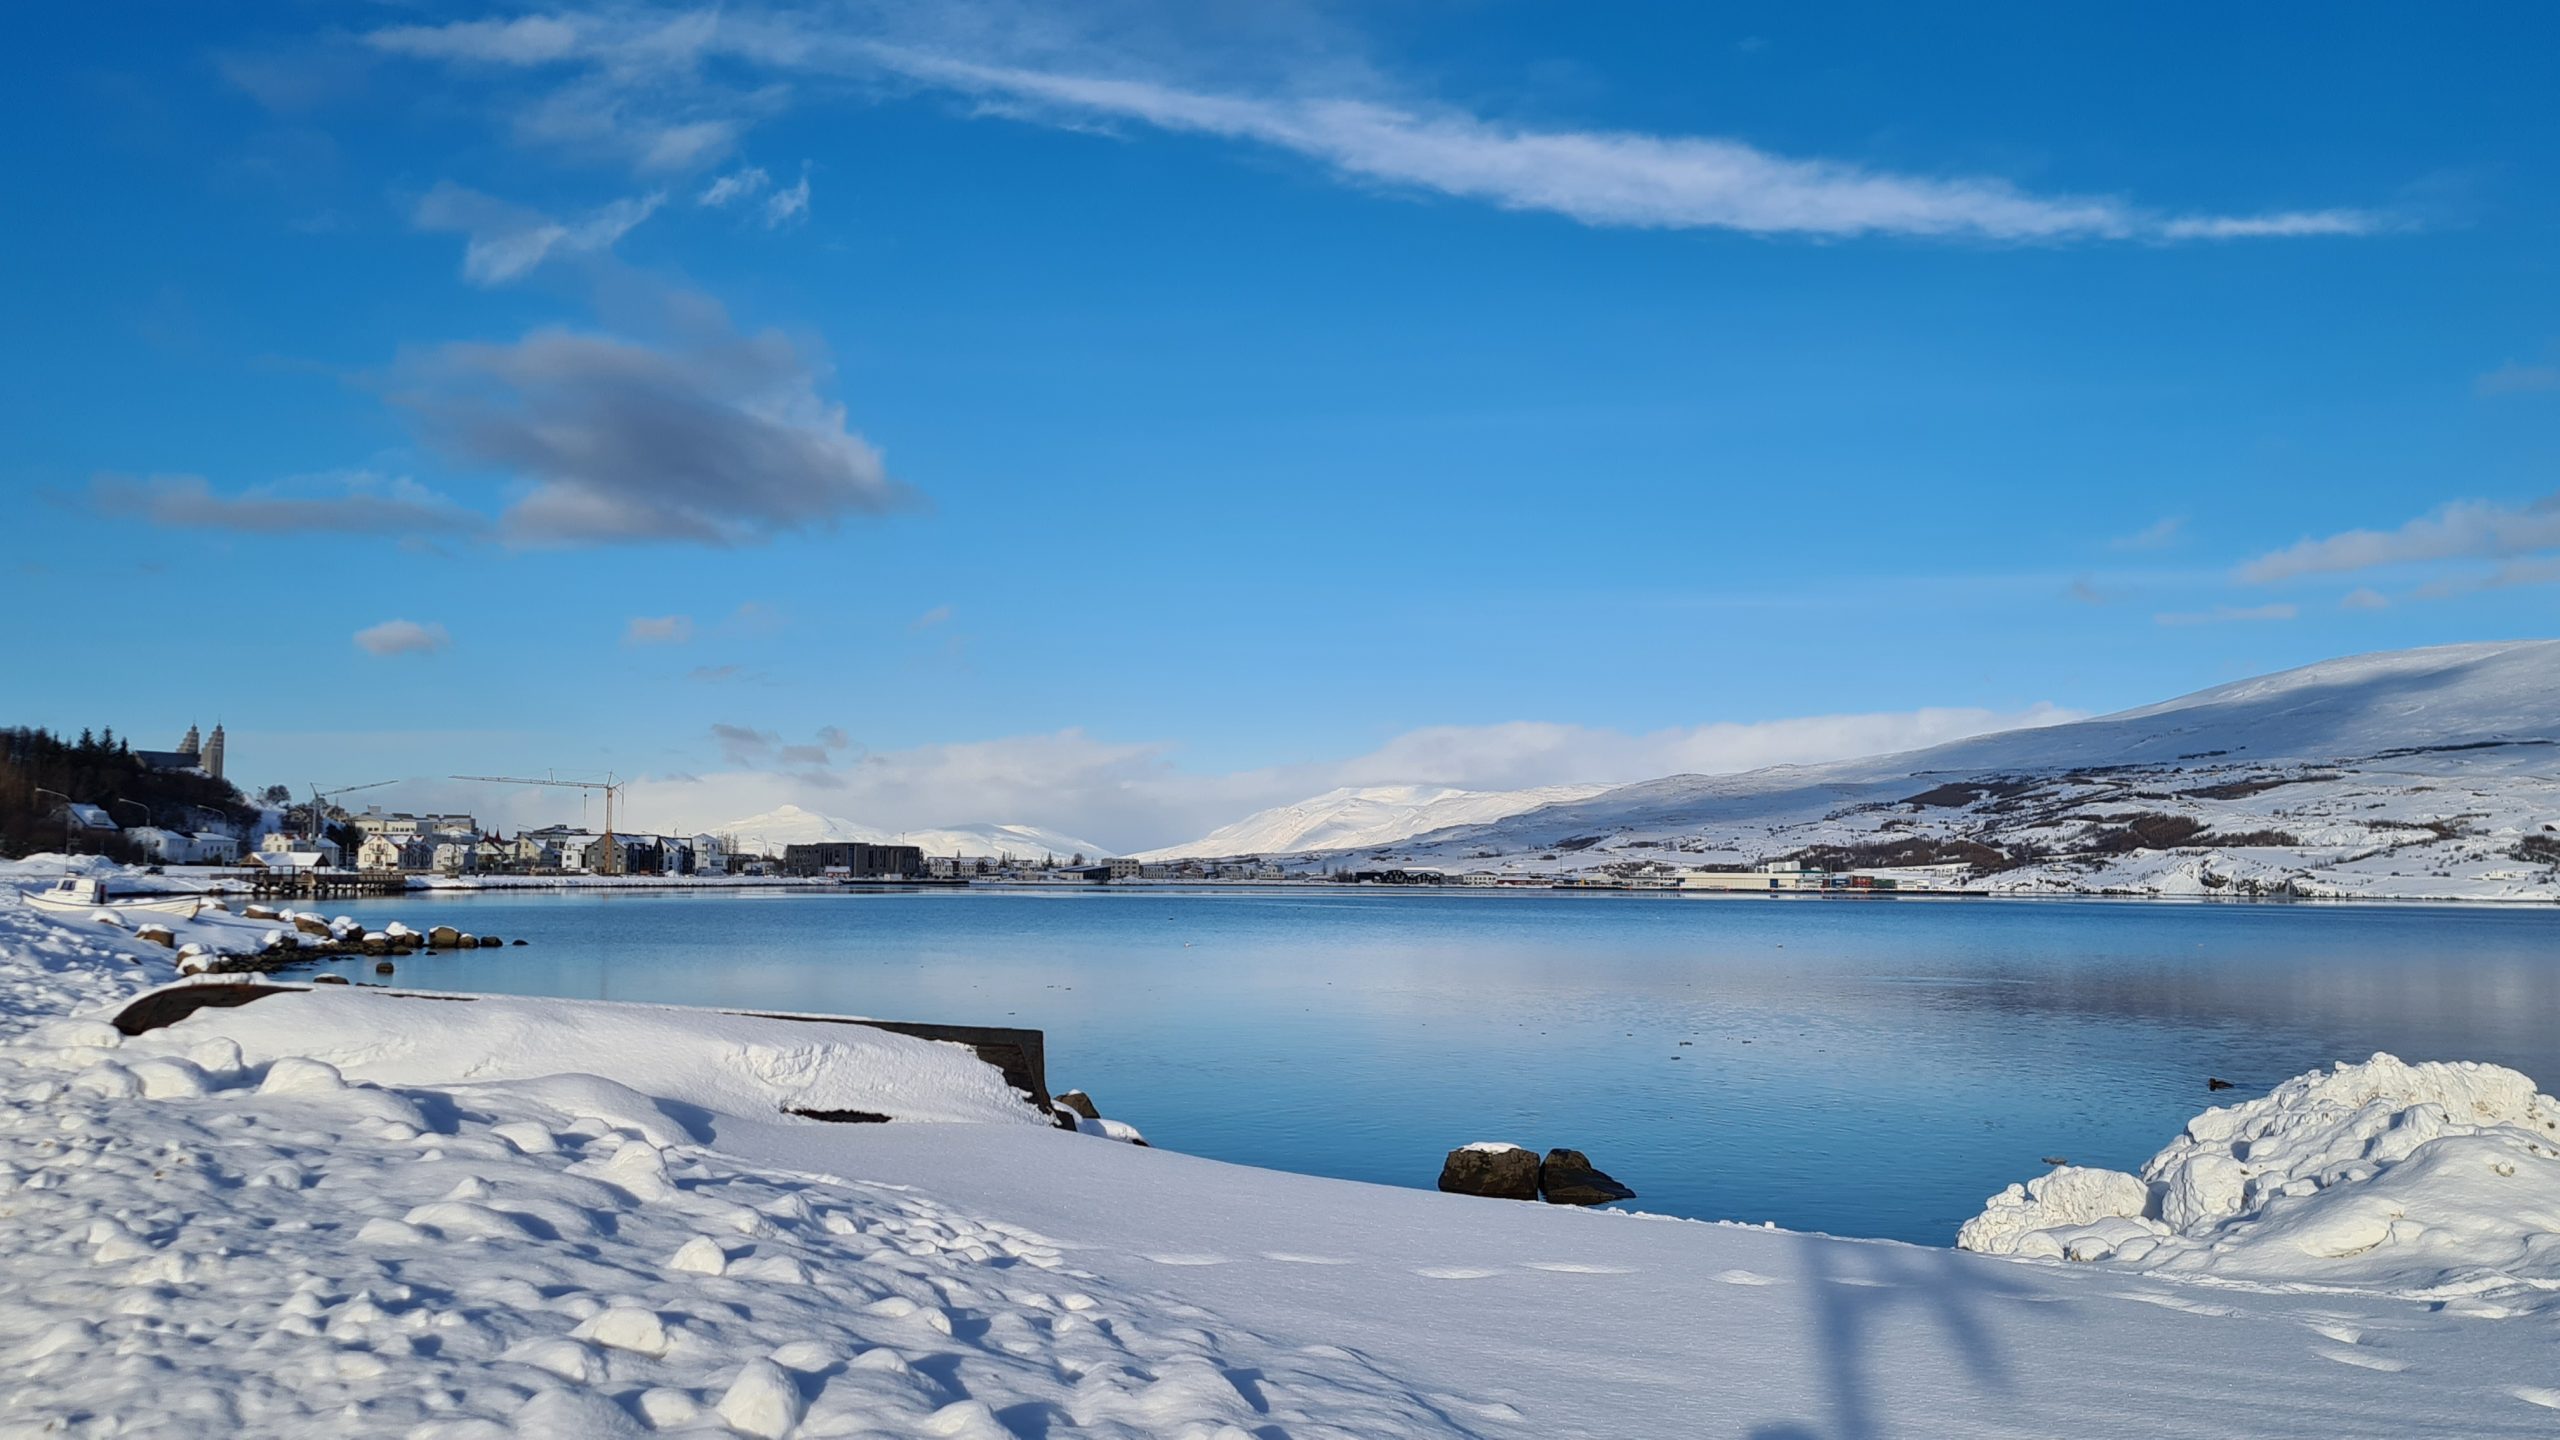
(2408, 775)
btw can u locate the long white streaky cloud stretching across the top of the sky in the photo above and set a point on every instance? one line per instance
(631, 70)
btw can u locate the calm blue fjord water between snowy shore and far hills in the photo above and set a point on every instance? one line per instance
(1862, 1067)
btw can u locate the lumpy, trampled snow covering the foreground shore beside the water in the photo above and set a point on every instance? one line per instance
(352, 1213)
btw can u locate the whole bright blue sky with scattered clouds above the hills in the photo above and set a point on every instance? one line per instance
(1133, 416)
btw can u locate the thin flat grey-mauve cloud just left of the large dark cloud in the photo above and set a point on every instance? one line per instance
(352, 503)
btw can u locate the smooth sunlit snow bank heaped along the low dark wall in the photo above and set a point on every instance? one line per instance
(680, 1060)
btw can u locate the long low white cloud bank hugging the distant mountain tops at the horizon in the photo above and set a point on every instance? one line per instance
(1135, 796)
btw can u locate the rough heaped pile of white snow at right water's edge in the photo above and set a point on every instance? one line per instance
(2426, 1180)
